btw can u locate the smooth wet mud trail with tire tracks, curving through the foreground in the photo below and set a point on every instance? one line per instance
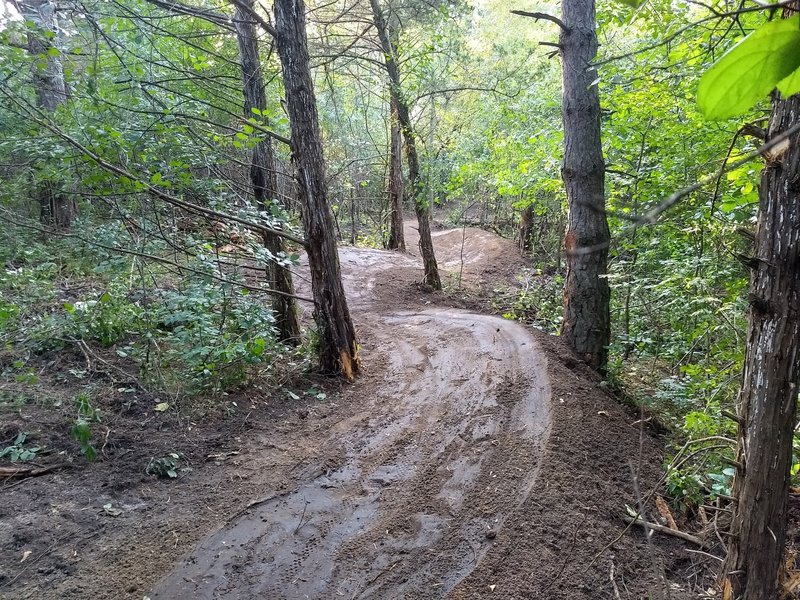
(434, 465)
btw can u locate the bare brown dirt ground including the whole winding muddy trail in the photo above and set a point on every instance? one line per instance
(473, 458)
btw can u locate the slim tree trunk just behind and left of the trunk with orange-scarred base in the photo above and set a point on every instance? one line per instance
(264, 177)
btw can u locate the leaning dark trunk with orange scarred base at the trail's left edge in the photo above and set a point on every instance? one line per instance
(338, 349)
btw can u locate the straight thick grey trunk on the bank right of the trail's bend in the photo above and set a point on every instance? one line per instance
(586, 326)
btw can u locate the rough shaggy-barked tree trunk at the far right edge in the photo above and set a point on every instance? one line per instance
(771, 374)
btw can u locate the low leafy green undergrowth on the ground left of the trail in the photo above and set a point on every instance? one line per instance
(186, 334)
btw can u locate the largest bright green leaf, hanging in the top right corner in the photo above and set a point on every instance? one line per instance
(751, 69)
